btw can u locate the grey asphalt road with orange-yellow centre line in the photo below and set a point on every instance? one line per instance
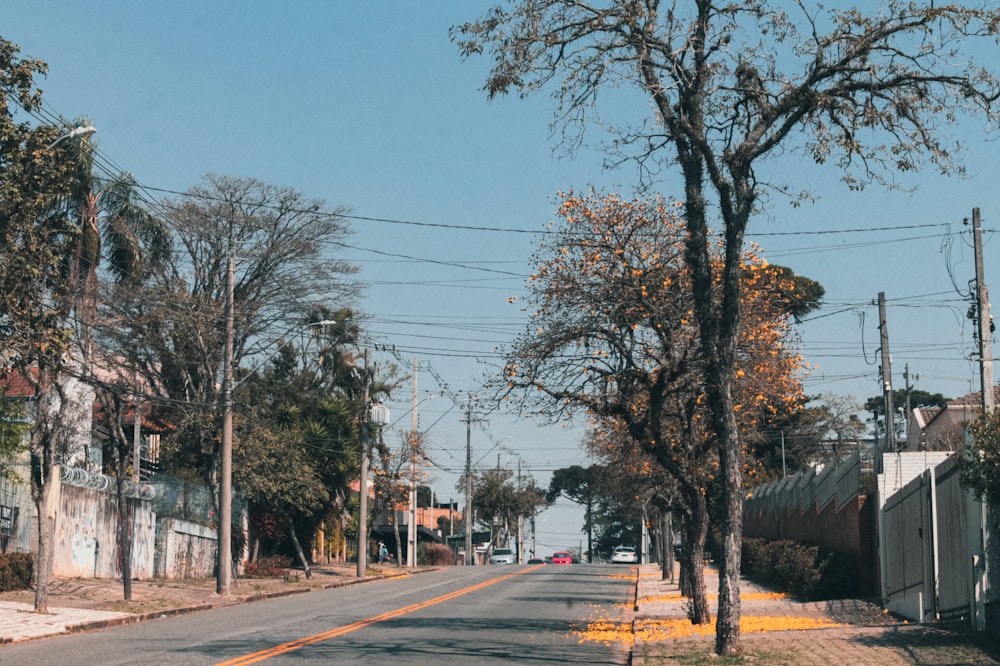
(460, 615)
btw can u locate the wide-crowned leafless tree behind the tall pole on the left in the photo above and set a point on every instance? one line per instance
(170, 328)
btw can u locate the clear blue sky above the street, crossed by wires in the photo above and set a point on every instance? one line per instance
(368, 105)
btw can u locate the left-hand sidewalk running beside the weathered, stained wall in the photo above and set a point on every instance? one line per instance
(83, 604)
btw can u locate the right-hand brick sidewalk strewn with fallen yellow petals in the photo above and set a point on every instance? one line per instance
(779, 630)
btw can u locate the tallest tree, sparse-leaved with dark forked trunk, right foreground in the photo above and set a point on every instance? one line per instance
(729, 86)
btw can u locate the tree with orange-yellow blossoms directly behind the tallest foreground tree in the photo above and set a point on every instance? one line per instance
(613, 333)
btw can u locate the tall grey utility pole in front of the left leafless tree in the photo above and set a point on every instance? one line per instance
(226, 482)
